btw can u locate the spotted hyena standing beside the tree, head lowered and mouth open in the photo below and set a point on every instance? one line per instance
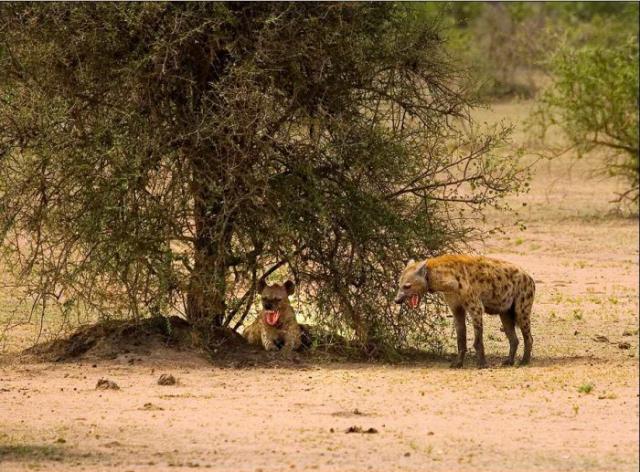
(473, 285)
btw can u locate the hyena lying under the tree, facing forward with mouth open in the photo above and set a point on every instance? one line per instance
(276, 326)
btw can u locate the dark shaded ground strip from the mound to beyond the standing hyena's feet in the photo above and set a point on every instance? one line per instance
(160, 337)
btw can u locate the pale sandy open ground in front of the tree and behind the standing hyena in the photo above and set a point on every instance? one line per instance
(574, 408)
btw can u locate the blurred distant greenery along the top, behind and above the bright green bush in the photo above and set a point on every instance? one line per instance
(507, 44)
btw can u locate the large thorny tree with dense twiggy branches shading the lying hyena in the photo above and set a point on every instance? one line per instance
(160, 157)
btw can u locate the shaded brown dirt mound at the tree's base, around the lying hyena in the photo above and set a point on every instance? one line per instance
(162, 337)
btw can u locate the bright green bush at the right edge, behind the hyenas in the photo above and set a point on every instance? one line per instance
(593, 99)
